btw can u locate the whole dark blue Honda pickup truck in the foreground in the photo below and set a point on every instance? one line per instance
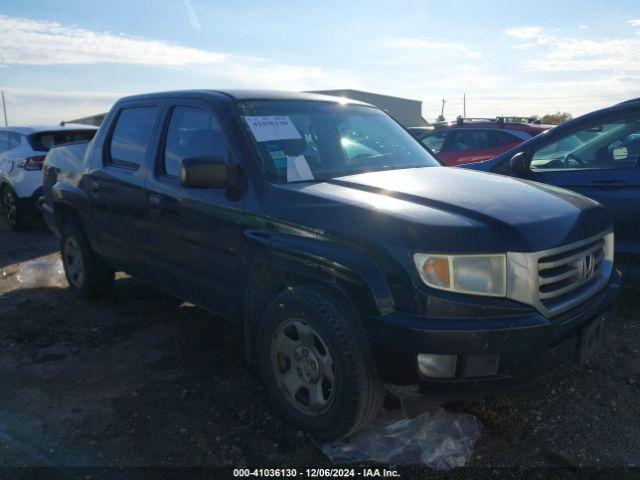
(355, 262)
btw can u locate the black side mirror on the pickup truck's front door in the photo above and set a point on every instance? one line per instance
(207, 172)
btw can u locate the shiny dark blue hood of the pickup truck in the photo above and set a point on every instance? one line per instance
(443, 209)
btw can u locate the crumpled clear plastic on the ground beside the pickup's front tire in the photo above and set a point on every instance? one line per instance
(437, 438)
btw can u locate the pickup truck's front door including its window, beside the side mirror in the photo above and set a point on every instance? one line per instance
(195, 235)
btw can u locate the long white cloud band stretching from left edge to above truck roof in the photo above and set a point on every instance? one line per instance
(31, 42)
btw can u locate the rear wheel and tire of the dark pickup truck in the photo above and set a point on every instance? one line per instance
(86, 273)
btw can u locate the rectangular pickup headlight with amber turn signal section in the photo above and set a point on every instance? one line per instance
(473, 274)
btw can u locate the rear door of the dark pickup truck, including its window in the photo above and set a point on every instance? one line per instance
(117, 190)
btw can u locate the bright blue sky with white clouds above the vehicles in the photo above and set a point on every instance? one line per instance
(63, 59)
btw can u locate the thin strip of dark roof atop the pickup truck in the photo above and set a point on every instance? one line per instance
(242, 94)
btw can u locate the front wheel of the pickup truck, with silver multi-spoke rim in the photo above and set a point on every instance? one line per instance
(326, 407)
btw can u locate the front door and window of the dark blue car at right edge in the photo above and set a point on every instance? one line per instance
(599, 160)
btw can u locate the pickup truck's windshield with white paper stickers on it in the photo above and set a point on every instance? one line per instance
(312, 141)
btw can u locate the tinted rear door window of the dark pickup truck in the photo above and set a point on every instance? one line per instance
(131, 136)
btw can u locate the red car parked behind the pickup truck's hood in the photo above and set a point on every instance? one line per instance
(475, 140)
